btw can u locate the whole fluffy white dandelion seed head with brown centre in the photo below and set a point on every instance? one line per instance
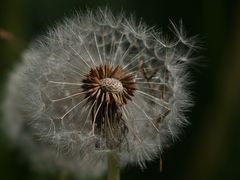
(99, 86)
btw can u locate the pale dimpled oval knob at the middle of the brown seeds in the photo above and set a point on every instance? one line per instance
(111, 85)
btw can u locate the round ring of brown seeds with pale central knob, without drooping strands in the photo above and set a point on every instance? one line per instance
(109, 87)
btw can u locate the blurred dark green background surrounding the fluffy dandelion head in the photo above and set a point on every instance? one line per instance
(209, 149)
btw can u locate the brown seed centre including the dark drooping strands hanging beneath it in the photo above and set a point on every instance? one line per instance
(107, 89)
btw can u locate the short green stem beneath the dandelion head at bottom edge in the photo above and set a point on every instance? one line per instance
(113, 167)
